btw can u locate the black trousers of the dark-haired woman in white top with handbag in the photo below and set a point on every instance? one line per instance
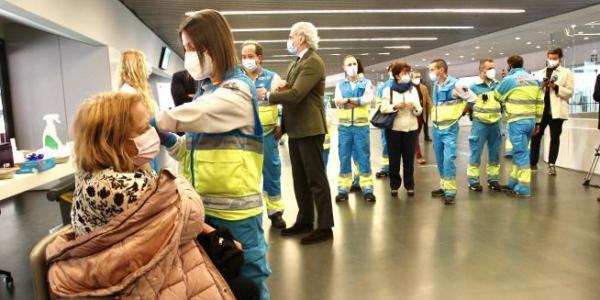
(401, 146)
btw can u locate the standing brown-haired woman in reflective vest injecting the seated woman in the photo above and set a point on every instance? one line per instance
(222, 152)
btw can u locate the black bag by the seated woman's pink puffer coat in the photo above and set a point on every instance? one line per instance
(220, 247)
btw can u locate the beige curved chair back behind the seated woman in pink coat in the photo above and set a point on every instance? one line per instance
(39, 268)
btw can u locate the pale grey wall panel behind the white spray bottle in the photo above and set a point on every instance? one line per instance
(50, 74)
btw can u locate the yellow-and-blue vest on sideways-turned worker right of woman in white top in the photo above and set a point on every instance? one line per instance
(447, 110)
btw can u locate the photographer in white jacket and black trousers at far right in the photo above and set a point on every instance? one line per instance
(558, 88)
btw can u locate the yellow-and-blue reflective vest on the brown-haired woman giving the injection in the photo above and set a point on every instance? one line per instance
(225, 169)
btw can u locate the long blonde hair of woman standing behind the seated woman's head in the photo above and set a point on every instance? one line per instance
(134, 72)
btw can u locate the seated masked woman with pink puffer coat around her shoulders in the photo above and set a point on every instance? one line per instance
(133, 232)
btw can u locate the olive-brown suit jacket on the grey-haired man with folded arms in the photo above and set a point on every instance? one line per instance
(303, 110)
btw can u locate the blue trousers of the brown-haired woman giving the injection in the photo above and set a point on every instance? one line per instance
(250, 233)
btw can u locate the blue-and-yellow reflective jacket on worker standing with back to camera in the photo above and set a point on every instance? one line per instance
(522, 96)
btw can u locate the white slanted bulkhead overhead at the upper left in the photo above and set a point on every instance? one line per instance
(100, 22)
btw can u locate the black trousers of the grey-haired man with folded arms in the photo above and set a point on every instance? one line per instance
(311, 186)
